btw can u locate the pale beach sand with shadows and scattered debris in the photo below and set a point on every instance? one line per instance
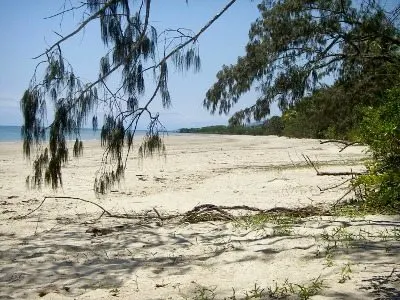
(54, 253)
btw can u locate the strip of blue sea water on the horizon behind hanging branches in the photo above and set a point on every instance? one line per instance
(13, 134)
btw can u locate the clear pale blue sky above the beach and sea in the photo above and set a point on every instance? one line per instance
(25, 32)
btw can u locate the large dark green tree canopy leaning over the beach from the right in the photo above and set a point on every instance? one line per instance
(296, 46)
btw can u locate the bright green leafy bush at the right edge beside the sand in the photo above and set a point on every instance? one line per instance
(380, 130)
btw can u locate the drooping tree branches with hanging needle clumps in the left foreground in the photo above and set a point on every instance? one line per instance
(133, 47)
